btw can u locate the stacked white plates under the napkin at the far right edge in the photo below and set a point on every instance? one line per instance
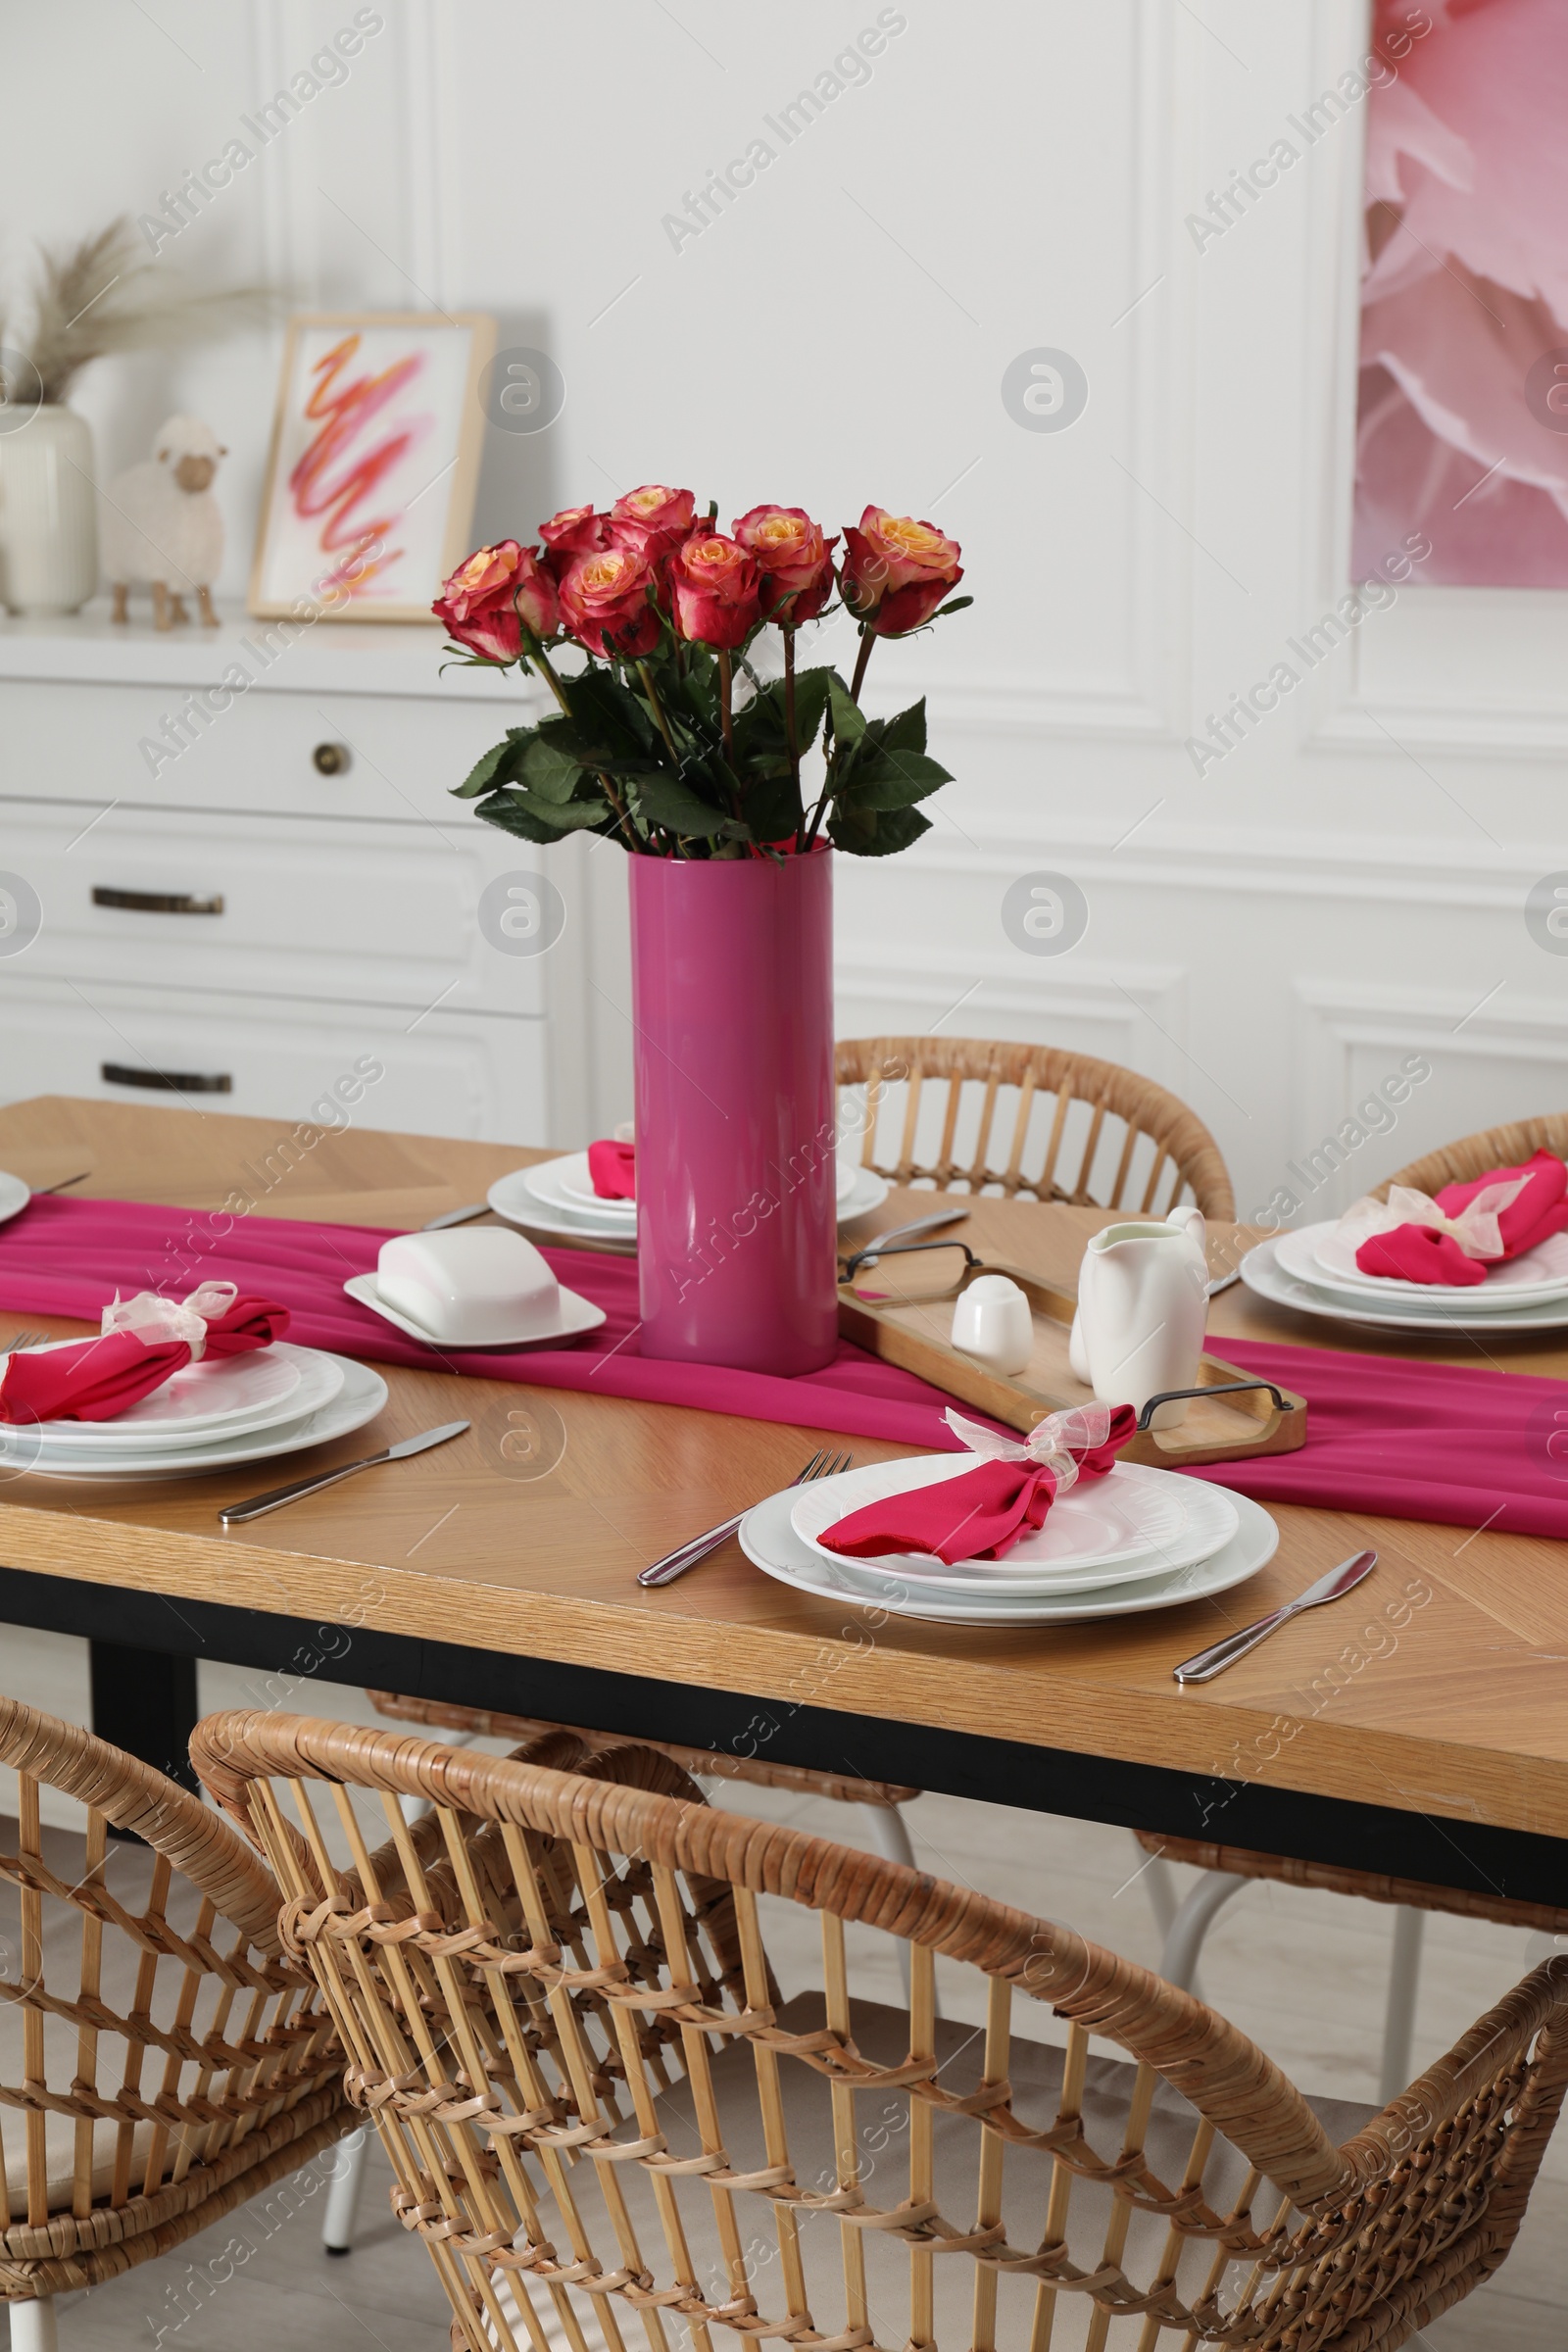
(1318, 1274)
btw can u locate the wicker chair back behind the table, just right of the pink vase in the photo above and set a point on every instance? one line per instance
(1054, 1154)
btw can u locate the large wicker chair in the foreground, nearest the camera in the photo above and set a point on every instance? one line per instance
(601, 2106)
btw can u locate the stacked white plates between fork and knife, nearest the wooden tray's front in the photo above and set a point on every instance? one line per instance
(1134, 1539)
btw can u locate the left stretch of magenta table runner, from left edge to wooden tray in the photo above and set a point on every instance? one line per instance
(69, 1257)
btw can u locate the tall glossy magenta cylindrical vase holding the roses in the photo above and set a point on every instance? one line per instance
(737, 1177)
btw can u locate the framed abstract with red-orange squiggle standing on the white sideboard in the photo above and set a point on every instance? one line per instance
(375, 462)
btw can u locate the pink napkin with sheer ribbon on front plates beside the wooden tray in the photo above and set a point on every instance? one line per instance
(986, 1511)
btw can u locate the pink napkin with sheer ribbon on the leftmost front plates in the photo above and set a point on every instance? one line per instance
(145, 1342)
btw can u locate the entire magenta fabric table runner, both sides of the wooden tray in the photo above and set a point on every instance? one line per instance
(1386, 1436)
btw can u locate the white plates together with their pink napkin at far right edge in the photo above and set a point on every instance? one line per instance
(1489, 1255)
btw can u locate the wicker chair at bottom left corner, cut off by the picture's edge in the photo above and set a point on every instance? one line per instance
(161, 2059)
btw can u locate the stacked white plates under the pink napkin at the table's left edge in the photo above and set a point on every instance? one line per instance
(208, 1417)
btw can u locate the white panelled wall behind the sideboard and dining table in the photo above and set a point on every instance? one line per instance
(1268, 940)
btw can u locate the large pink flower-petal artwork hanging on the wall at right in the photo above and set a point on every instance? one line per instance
(1463, 394)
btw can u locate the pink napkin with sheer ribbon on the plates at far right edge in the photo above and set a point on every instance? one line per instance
(1466, 1229)
